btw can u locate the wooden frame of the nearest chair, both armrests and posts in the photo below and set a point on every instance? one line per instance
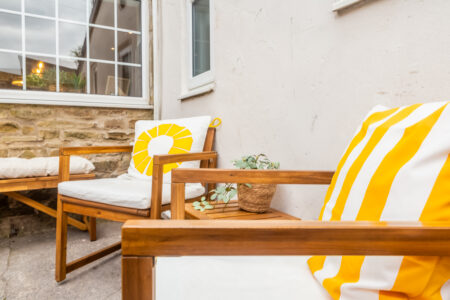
(143, 240)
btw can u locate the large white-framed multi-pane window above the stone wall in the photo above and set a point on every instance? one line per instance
(74, 52)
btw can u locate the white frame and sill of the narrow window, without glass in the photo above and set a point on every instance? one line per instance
(204, 82)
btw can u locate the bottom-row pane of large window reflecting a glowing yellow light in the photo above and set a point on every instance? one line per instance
(41, 73)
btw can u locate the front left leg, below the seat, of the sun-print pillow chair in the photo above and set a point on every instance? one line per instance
(61, 243)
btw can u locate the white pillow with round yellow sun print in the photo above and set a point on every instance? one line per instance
(176, 136)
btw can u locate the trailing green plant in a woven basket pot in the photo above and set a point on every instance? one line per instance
(251, 197)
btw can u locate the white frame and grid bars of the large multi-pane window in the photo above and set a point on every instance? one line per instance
(74, 99)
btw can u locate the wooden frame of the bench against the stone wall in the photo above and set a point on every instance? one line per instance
(12, 187)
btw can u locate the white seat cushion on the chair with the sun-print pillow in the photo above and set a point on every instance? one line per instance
(123, 191)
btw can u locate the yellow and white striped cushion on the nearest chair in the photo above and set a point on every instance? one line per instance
(397, 167)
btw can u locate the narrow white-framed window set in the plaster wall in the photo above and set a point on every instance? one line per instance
(200, 37)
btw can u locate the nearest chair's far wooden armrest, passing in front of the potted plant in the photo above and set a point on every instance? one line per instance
(251, 176)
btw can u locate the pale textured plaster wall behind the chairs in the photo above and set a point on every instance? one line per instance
(294, 79)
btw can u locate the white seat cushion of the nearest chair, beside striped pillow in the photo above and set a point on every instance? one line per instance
(237, 277)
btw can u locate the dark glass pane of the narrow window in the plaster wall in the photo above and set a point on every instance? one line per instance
(200, 37)
